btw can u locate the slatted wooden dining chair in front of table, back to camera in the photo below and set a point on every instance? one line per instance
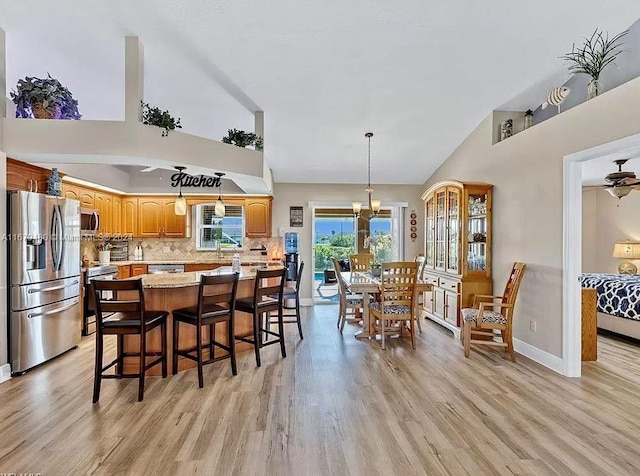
(397, 294)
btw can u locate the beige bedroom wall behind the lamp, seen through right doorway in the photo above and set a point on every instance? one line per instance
(612, 220)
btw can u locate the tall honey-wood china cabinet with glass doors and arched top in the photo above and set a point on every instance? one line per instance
(457, 249)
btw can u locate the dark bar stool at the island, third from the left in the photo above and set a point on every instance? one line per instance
(267, 297)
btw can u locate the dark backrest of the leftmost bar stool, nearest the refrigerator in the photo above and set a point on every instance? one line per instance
(118, 296)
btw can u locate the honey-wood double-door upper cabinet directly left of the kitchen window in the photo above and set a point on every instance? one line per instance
(157, 218)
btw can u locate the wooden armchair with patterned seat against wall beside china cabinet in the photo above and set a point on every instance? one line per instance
(490, 313)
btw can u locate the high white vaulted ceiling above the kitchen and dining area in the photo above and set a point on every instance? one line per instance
(420, 74)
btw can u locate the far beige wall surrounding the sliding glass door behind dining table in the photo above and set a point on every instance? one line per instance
(287, 195)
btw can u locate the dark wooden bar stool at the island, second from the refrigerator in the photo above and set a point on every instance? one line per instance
(216, 303)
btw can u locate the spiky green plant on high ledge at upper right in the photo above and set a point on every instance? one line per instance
(596, 53)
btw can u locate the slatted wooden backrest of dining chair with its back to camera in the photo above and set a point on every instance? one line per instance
(397, 283)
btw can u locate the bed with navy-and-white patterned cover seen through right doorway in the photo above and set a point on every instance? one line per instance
(618, 301)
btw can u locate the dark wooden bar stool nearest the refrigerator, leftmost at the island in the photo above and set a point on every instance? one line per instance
(129, 316)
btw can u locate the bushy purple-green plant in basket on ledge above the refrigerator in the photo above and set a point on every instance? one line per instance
(44, 99)
